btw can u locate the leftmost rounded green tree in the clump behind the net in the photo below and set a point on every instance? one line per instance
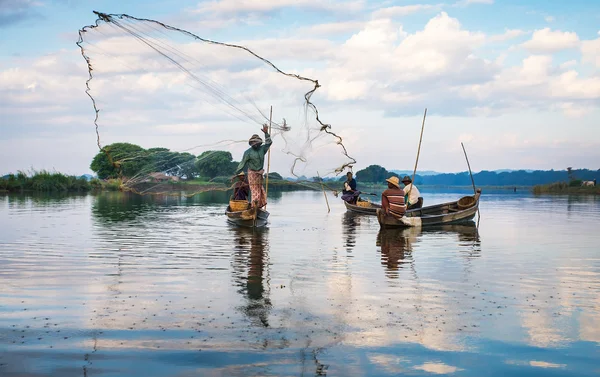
(125, 159)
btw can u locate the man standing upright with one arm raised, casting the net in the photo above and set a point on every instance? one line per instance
(254, 160)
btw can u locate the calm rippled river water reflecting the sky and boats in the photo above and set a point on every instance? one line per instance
(119, 285)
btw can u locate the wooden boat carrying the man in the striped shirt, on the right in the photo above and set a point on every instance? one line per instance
(459, 211)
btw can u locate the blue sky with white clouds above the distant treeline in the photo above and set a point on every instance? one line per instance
(518, 82)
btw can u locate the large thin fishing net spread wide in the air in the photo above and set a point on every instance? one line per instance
(169, 104)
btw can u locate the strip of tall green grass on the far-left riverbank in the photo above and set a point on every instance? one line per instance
(44, 181)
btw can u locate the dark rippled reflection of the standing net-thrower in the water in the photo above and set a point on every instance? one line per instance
(251, 257)
